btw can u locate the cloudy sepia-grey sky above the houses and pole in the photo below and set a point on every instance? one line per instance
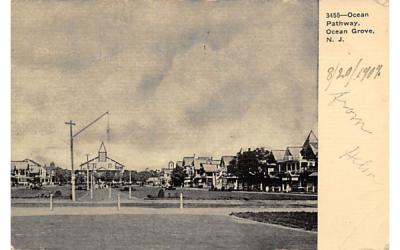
(178, 78)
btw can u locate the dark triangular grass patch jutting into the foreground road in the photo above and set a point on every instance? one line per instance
(304, 220)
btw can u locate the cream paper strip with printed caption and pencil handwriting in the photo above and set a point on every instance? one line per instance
(353, 125)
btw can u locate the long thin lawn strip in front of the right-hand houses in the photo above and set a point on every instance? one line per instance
(198, 194)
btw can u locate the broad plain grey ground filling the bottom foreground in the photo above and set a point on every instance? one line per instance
(152, 231)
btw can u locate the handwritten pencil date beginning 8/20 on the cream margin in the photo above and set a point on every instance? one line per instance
(352, 73)
